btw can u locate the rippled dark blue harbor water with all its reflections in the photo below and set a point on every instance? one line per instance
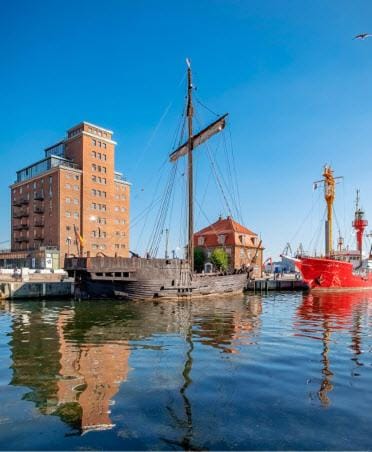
(275, 371)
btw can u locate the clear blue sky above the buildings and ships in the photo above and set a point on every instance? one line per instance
(297, 87)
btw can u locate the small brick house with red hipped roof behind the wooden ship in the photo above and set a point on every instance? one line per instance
(242, 245)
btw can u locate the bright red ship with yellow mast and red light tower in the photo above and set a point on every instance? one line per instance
(339, 270)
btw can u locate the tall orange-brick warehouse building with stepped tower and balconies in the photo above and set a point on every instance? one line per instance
(74, 185)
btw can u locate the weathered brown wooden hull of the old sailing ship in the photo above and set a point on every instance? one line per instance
(137, 279)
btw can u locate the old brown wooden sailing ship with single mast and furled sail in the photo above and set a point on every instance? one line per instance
(147, 278)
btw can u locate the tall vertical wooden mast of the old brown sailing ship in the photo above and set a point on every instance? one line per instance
(190, 171)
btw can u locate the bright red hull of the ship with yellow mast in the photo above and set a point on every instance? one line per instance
(331, 275)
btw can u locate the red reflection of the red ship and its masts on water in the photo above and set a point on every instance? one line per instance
(320, 316)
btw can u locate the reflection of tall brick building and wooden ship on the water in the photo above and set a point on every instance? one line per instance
(73, 358)
